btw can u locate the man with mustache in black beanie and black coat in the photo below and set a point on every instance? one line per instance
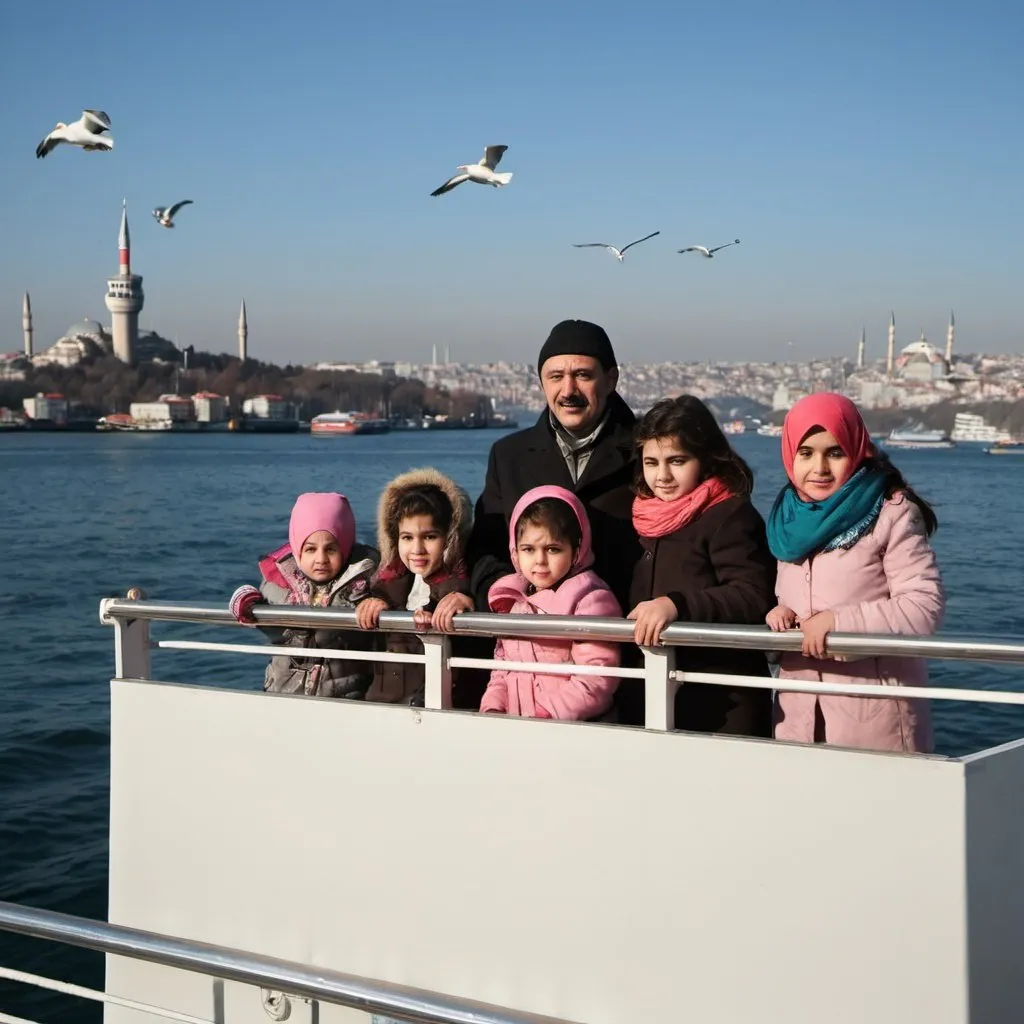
(582, 442)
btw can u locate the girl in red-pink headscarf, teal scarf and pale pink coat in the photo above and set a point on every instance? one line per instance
(851, 539)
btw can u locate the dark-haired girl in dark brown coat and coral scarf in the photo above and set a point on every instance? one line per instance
(706, 560)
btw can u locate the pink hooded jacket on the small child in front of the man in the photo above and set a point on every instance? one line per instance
(534, 695)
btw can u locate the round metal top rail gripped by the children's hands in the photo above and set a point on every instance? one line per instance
(963, 649)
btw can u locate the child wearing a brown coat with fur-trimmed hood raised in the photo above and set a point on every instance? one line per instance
(423, 524)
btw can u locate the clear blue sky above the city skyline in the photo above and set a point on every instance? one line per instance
(870, 156)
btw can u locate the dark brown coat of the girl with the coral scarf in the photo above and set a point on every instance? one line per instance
(717, 569)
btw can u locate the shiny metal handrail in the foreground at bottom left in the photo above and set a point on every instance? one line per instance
(402, 1002)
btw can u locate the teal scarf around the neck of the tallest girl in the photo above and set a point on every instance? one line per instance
(798, 529)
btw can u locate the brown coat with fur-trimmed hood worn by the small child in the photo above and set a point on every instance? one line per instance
(401, 682)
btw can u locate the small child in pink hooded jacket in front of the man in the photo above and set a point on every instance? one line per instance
(550, 546)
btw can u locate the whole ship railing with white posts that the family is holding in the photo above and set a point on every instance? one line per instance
(132, 619)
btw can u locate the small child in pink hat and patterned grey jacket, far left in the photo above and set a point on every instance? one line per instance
(323, 567)
